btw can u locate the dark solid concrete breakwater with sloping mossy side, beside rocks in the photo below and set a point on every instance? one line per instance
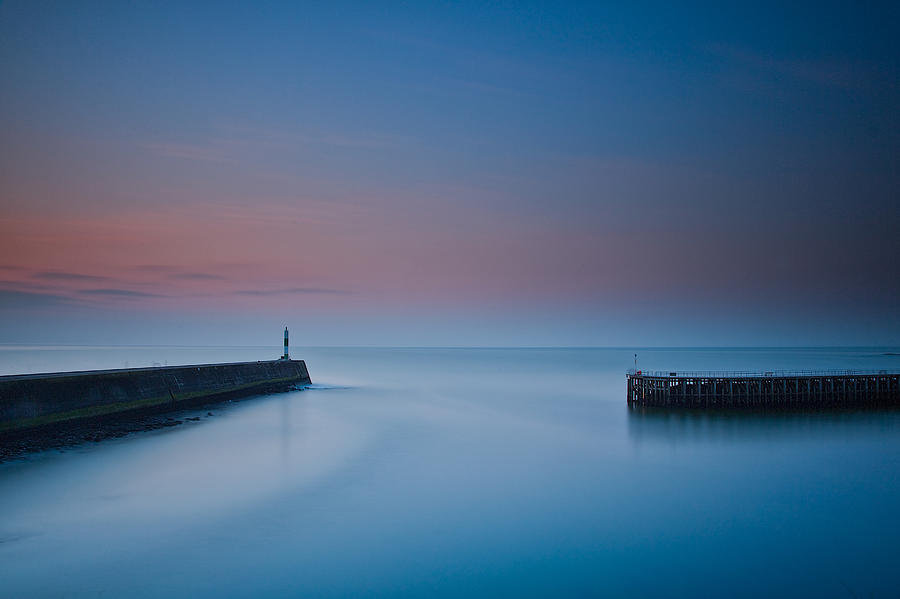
(35, 400)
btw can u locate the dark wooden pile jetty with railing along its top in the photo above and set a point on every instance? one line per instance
(764, 390)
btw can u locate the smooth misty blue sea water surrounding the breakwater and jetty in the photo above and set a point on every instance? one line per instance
(451, 472)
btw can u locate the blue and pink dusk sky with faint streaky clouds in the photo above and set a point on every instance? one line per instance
(429, 174)
